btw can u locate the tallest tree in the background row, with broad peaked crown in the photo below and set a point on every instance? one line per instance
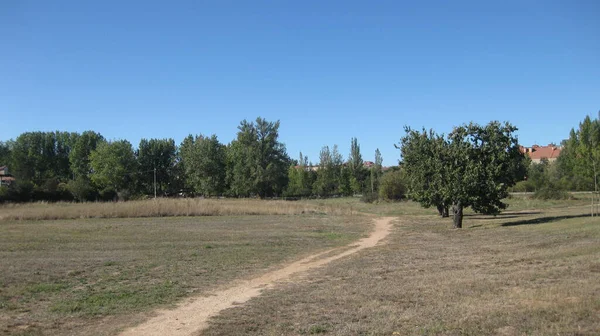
(258, 161)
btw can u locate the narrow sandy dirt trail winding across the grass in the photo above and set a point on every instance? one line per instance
(192, 316)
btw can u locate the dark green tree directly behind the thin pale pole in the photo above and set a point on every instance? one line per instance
(156, 155)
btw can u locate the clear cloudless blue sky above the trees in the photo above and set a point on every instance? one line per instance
(328, 70)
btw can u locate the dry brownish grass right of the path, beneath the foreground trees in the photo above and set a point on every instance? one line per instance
(526, 273)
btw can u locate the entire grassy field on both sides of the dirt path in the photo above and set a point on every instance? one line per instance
(532, 270)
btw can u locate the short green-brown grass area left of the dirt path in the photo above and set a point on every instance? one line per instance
(94, 276)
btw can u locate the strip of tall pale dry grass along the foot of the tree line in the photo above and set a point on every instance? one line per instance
(163, 207)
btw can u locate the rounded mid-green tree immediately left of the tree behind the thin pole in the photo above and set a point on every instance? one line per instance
(114, 166)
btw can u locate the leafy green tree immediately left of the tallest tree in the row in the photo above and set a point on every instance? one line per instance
(204, 164)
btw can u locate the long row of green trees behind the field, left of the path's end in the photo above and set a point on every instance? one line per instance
(64, 166)
